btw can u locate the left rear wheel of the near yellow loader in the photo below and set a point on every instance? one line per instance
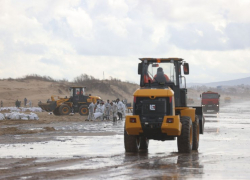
(131, 142)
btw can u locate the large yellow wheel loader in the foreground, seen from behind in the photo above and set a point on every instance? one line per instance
(160, 110)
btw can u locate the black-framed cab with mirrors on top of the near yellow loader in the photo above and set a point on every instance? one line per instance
(163, 73)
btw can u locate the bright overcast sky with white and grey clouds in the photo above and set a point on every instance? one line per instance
(63, 39)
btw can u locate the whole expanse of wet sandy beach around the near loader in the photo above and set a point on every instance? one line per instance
(71, 148)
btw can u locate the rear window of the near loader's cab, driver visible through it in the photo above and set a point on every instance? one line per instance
(160, 71)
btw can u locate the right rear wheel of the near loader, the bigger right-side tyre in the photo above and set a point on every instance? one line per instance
(185, 140)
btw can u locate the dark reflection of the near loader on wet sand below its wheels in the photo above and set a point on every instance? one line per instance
(172, 166)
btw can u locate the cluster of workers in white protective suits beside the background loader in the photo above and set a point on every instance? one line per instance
(108, 110)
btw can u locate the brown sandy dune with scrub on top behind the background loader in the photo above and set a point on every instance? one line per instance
(37, 88)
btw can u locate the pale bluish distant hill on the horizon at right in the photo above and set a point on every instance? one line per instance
(245, 81)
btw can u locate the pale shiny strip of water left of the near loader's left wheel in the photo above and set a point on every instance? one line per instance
(66, 147)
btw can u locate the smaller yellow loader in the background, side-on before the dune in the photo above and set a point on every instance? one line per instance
(77, 102)
